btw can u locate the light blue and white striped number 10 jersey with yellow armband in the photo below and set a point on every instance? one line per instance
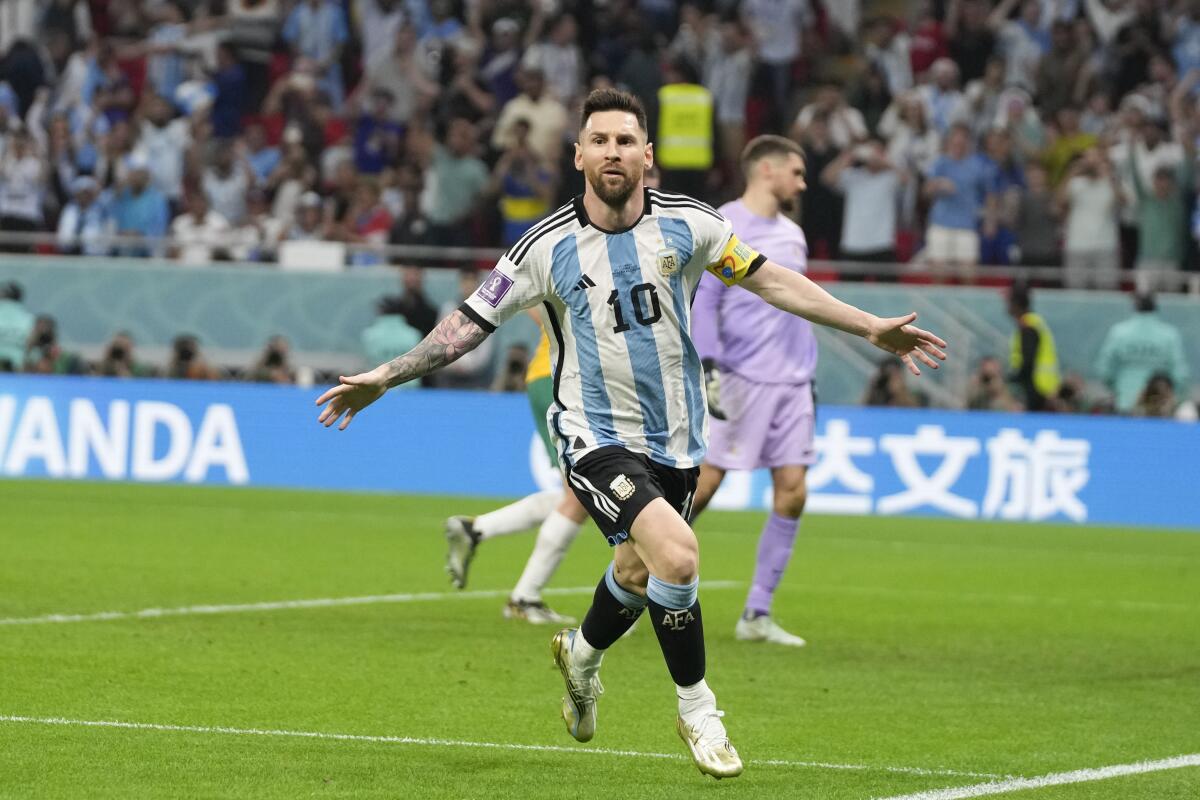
(619, 308)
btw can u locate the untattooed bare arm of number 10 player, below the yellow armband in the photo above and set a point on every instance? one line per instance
(796, 294)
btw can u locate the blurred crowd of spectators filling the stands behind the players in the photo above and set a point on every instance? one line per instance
(952, 139)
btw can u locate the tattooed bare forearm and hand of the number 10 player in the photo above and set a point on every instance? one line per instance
(454, 338)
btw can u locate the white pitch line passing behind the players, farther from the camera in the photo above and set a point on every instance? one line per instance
(315, 603)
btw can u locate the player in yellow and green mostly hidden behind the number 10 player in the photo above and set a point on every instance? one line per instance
(559, 514)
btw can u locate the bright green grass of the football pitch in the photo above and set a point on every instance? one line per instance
(982, 647)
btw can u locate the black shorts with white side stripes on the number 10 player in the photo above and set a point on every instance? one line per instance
(615, 485)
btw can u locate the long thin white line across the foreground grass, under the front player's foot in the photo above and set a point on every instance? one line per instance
(459, 743)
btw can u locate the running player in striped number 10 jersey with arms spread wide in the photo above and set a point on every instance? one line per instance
(614, 272)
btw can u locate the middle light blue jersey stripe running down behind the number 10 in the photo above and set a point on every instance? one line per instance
(644, 352)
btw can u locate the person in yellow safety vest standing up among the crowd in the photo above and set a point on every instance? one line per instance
(685, 146)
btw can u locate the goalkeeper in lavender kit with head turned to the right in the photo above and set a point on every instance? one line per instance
(759, 364)
